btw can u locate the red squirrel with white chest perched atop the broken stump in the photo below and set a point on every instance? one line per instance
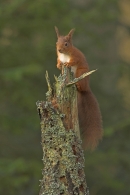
(90, 120)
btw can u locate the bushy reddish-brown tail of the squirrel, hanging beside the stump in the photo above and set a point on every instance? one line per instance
(90, 120)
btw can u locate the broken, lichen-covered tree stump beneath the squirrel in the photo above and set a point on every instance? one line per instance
(63, 157)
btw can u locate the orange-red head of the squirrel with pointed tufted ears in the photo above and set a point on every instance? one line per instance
(64, 43)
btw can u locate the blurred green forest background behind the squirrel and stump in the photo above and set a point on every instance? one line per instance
(27, 50)
